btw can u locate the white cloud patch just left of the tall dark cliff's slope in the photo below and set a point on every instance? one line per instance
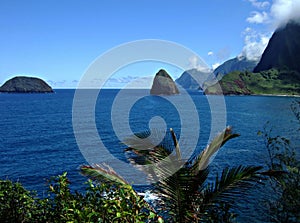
(255, 44)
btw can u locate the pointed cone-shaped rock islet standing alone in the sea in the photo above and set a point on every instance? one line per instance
(163, 84)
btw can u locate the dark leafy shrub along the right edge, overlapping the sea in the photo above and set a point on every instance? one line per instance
(284, 204)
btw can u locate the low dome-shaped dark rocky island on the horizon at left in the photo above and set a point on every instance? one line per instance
(22, 84)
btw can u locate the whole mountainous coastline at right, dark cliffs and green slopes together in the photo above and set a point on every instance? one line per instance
(277, 72)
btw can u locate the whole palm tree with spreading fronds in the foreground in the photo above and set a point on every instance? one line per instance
(182, 186)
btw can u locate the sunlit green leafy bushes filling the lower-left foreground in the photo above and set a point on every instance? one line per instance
(100, 203)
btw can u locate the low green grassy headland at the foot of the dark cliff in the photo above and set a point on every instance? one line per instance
(272, 82)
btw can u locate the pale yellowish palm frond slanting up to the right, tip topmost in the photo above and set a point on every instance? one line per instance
(204, 159)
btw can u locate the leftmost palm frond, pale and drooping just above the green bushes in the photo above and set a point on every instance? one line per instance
(102, 173)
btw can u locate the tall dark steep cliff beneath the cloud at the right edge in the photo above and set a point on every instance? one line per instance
(283, 50)
